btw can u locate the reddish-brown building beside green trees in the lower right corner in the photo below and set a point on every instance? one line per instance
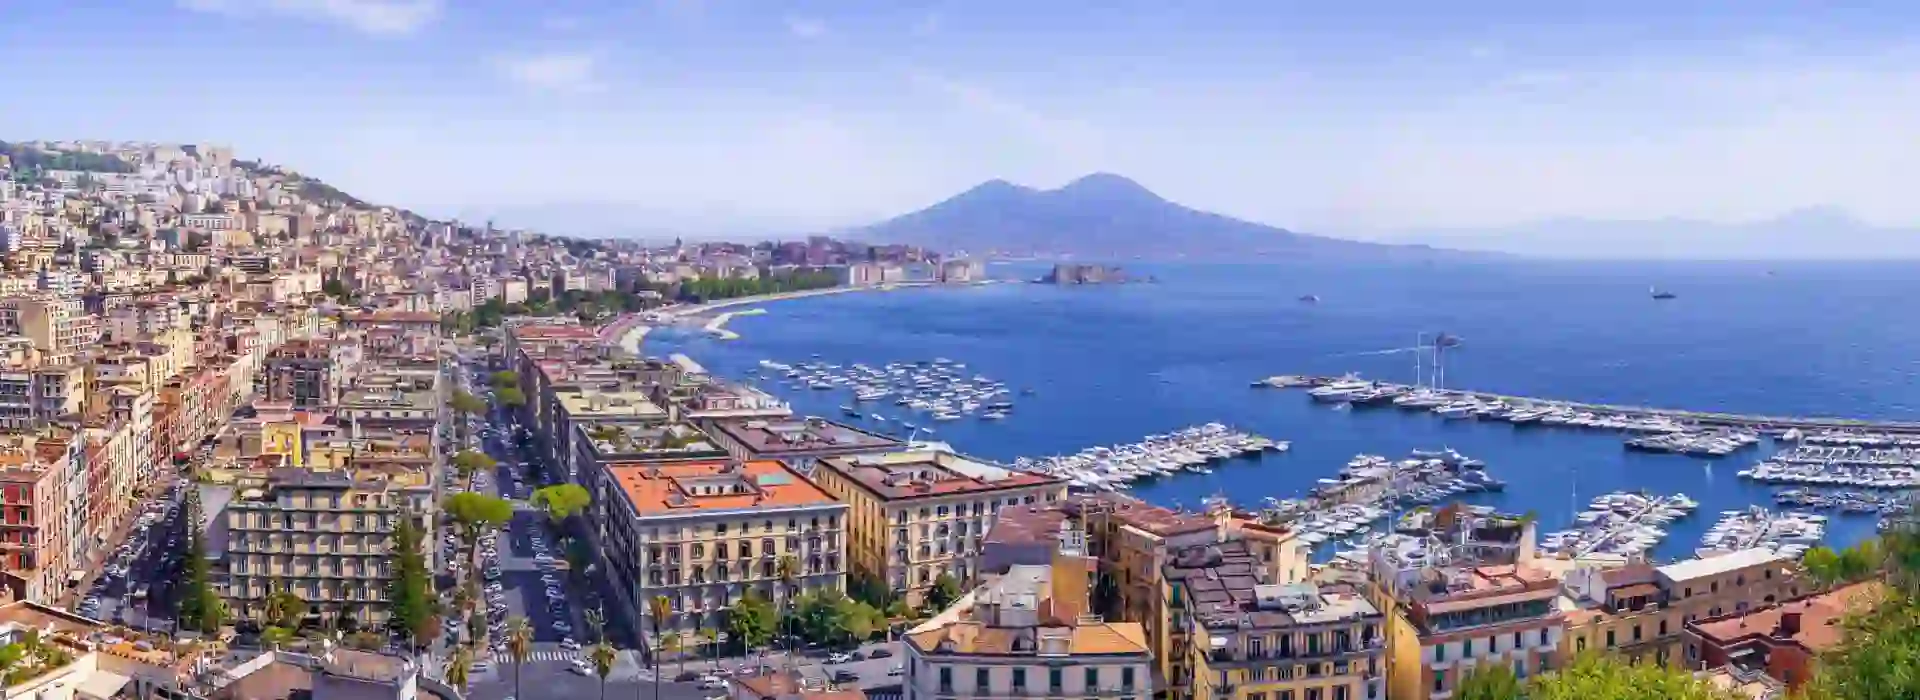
(1781, 642)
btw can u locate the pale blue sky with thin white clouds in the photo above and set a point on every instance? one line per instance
(786, 116)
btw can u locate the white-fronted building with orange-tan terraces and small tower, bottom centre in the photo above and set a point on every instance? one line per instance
(1030, 634)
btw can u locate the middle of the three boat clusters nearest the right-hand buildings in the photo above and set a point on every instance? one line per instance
(1620, 525)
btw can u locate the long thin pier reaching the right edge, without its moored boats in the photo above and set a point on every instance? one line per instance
(1702, 419)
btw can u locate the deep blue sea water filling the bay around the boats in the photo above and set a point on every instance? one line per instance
(1116, 363)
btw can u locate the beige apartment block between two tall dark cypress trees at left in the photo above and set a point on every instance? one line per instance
(324, 536)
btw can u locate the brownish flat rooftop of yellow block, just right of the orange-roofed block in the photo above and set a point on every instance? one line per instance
(930, 473)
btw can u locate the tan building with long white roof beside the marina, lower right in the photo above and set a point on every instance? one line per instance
(1641, 611)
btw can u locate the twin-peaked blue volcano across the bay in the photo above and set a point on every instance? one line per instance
(1099, 216)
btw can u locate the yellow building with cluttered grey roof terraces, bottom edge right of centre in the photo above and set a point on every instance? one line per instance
(1241, 636)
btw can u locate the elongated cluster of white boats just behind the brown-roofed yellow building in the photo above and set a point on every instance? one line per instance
(1189, 450)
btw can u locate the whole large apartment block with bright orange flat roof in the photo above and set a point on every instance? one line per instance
(706, 534)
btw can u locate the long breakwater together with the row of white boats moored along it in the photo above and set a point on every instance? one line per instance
(1570, 413)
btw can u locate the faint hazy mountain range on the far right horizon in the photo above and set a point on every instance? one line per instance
(1808, 235)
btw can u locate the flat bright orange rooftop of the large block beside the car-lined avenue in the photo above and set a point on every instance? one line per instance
(715, 486)
